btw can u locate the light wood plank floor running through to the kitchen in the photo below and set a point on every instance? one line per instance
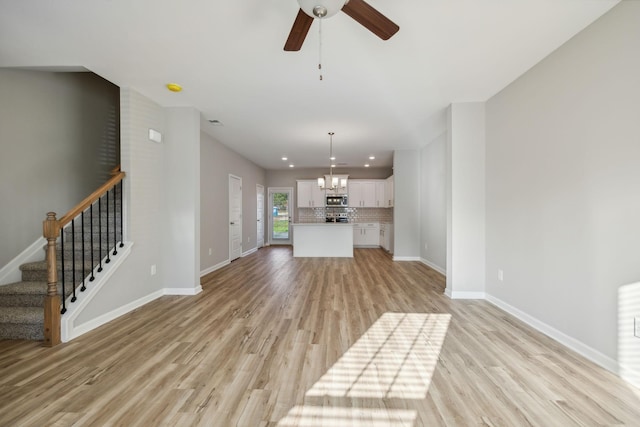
(278, 341)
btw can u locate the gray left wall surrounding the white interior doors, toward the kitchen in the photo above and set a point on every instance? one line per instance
(216, 163)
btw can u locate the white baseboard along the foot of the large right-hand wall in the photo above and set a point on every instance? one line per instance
(564, 339)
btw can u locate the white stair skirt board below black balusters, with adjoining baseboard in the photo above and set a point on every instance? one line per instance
(68, 330)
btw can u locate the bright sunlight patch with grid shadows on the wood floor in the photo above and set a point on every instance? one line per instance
(394, 359)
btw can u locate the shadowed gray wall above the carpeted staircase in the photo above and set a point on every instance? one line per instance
(59, 136)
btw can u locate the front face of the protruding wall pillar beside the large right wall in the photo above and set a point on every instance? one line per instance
(466, 200)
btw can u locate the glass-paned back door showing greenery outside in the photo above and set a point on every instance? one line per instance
(281, 215)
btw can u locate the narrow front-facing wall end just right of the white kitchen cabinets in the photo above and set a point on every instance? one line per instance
(406, 207)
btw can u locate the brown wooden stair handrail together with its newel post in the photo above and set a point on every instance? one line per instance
(51, 228)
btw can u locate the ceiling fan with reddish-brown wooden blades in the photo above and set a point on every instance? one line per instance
(359, 10)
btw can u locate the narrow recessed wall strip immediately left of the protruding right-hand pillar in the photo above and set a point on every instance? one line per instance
(433, 204)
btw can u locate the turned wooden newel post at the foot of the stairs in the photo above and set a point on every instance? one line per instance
(51, 231)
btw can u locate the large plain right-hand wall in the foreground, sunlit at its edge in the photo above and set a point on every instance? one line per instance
(563, 187)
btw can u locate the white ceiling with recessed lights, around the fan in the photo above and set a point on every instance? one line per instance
(377, 96)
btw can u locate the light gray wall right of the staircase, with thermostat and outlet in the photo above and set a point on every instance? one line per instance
(161, 206)
